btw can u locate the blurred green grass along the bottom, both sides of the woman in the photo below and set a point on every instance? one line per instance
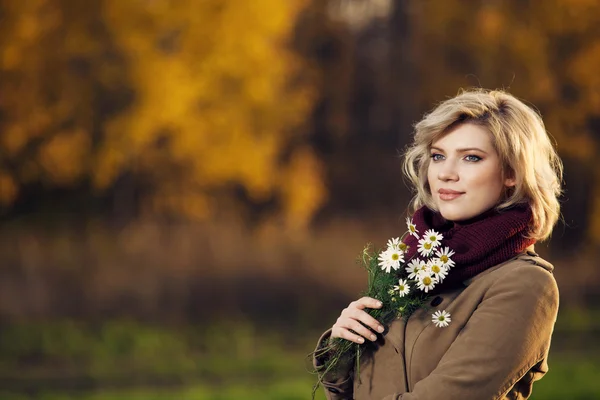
(127, 360)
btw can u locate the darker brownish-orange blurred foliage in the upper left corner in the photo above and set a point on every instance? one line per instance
(44, 133)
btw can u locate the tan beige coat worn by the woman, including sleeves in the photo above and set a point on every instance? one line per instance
(495, 347)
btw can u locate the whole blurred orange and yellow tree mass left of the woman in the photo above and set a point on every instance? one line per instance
(208, 96)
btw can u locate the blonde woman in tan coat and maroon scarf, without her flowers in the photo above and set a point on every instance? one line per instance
(486, 177)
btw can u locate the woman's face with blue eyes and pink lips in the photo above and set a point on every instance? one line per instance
(465, 173)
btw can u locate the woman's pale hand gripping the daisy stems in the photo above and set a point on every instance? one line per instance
(350, 326)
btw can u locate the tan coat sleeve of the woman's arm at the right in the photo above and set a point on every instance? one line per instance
(507, 335)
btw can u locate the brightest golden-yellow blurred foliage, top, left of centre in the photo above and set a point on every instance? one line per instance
(211, 80)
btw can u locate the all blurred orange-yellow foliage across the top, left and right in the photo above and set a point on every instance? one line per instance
(217, 100)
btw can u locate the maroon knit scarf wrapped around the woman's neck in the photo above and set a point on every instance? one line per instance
(479, 243)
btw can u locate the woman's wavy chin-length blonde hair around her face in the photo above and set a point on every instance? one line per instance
(519, 137)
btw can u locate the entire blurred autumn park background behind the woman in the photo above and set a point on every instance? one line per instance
(185, 185)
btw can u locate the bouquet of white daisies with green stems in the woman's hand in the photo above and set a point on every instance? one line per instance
(402, 285)
